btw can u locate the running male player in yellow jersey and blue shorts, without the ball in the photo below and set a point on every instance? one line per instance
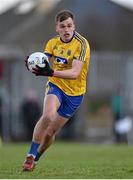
(66, 86)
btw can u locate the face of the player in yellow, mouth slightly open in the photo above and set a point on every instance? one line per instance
(65, 29)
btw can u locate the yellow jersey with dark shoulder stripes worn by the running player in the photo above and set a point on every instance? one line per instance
(62, 55)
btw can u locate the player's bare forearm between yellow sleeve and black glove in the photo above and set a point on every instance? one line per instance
(72, 73)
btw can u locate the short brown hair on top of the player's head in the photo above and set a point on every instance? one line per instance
(63, 15)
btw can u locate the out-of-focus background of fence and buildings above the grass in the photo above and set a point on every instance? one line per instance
(107, 111)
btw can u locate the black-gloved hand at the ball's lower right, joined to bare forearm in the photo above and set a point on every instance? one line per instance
(43, 71)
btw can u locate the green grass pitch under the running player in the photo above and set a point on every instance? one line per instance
(69, 160)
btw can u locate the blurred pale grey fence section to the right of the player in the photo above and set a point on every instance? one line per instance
(108, 71)
